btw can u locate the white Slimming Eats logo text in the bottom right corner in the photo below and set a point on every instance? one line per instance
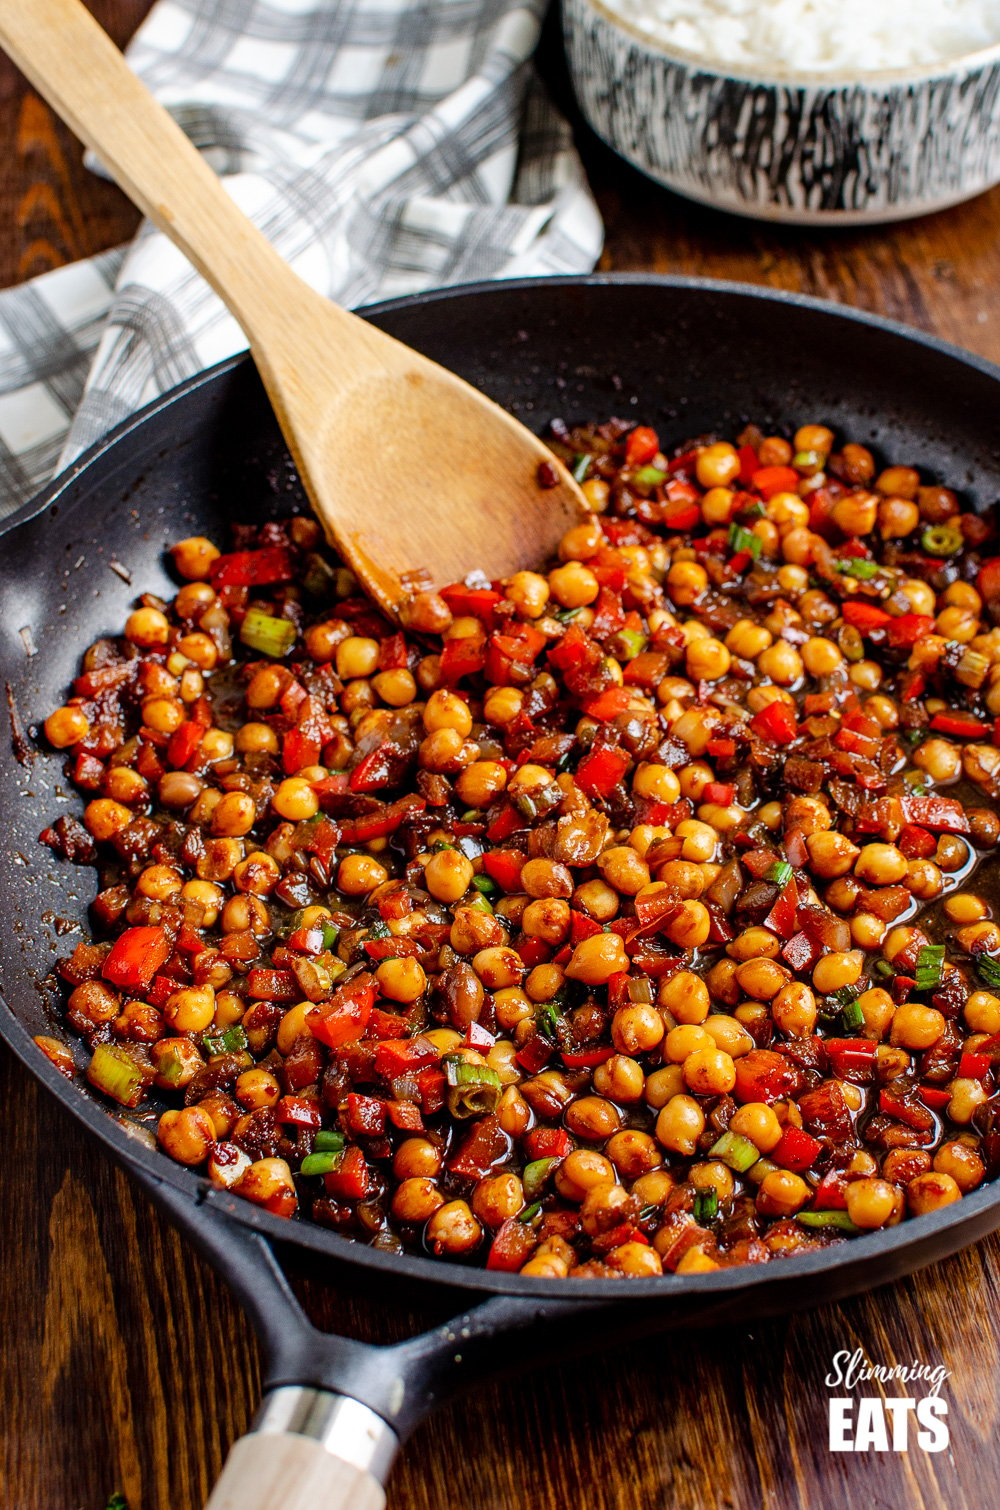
(887, 1423)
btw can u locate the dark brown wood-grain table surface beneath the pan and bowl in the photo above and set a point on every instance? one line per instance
(125, 1364)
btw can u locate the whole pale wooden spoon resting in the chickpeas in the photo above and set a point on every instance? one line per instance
(407, 466)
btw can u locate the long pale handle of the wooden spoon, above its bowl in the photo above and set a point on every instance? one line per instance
(78, 69)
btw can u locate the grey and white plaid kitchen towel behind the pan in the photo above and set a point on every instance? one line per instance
(383, 146)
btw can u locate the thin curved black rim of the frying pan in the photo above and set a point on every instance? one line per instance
(155, 1169)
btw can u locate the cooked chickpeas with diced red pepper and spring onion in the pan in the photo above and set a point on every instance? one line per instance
(611, 920)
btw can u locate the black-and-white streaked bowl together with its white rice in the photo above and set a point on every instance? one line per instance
(800, 111)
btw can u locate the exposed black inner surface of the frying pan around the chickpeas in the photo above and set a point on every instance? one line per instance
(685, 357)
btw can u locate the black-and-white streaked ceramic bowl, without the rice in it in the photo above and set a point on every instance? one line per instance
(801, 149)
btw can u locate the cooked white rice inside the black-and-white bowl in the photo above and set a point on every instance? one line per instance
(842, 37)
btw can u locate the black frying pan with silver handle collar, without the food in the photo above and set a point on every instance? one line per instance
(685, 356)
